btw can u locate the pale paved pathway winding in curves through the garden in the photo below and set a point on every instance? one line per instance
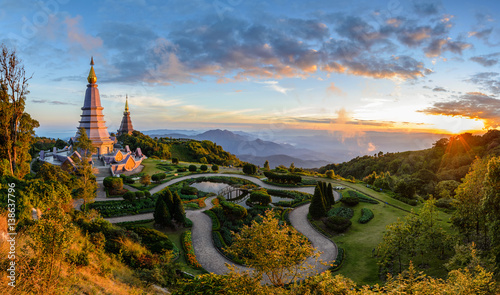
(208, 255)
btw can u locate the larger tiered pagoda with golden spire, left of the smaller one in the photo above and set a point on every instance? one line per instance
(93, 119)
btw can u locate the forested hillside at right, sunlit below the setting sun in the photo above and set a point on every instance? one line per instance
(429, 171)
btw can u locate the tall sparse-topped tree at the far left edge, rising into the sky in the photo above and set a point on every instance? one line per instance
(16, 126)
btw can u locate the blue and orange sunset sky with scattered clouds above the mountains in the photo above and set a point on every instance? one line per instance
(344, 67)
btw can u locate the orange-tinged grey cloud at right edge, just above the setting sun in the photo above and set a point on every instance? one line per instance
(473, 105)
